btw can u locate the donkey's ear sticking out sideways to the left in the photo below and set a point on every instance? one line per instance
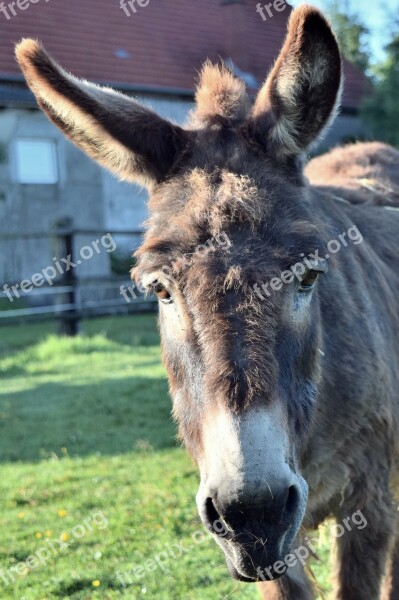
(123, 136)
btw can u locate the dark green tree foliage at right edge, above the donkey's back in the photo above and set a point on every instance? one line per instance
(381, 109)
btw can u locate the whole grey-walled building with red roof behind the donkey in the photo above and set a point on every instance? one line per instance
(151, 49)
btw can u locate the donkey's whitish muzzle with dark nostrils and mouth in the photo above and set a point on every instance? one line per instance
(251, 498)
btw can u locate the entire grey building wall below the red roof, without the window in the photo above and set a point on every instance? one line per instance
(85, 194)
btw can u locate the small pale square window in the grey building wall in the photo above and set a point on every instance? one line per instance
(36, 161)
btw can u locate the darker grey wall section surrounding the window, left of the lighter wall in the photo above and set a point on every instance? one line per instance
(27, 208)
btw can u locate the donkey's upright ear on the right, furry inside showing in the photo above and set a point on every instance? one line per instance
(302, 93)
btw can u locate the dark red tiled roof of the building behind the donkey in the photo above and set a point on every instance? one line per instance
(160, 47)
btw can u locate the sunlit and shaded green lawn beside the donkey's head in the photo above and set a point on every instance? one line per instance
(97, 497)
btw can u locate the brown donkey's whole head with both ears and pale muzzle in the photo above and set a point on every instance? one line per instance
(229, 211)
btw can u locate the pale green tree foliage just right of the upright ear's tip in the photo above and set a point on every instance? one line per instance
(352, 35)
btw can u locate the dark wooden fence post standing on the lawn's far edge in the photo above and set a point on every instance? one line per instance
(69, 319)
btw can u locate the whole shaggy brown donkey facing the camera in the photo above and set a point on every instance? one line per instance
(286, 394)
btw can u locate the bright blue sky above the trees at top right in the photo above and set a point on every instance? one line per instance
(374, 14)
